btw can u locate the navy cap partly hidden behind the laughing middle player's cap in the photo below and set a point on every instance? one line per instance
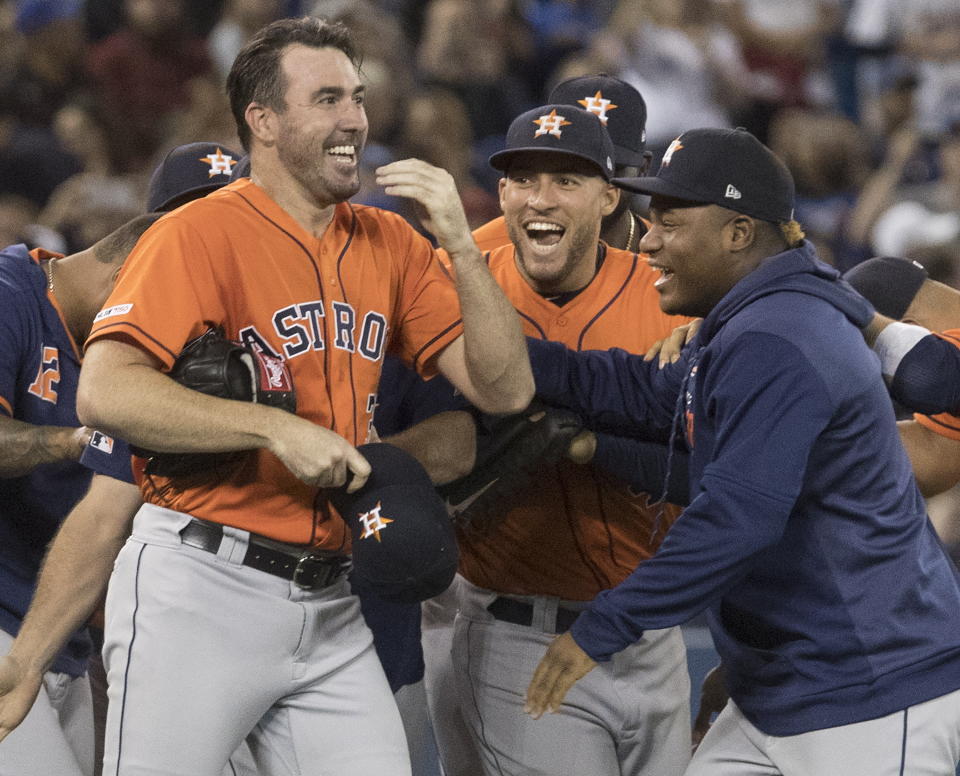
(618, 105)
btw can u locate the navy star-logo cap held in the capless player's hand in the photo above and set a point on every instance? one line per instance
(404, 546)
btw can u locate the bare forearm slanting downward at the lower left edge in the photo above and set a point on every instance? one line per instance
(75, 571)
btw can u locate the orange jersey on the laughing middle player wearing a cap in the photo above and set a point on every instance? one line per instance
(582, 530)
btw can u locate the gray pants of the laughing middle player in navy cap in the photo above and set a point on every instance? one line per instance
(627, 717)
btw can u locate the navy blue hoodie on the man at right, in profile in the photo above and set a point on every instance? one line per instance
(829, 596)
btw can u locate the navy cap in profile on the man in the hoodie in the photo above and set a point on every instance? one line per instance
(725, 167)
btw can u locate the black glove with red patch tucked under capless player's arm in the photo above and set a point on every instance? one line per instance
(216, 366)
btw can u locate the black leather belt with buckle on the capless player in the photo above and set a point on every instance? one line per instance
(308, 569)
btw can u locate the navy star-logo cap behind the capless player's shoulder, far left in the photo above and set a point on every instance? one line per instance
(188, 172)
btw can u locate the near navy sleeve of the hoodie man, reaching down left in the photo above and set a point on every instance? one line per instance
(767, 406)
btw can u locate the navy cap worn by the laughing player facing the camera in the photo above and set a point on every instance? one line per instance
(560, 129)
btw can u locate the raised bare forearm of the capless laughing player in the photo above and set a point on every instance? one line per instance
(494, 347)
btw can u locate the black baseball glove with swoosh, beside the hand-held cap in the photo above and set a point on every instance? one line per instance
(512, 452)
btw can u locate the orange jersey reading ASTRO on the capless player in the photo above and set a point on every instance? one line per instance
(330, 307)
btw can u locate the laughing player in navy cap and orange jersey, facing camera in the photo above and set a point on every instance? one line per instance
(582, 531)
